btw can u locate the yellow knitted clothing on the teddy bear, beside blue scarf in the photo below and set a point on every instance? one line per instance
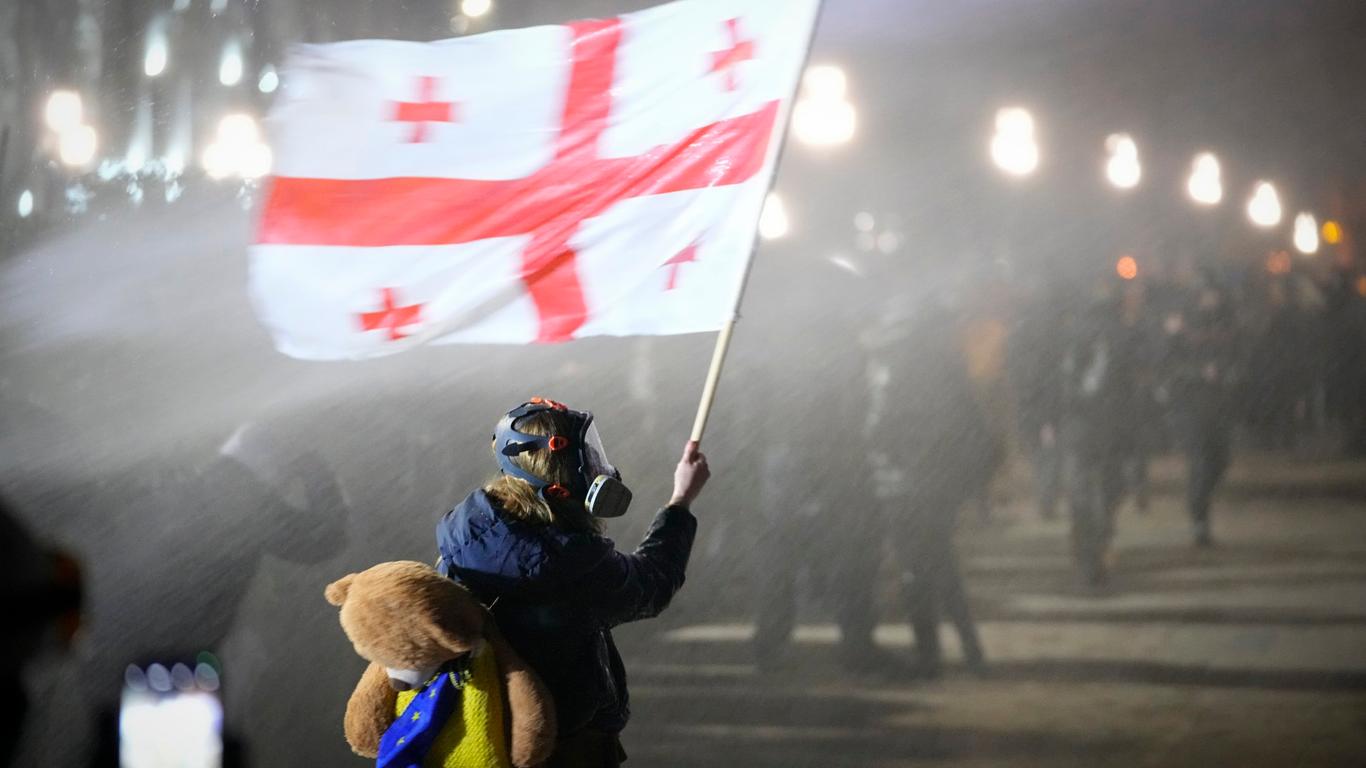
(473, 737)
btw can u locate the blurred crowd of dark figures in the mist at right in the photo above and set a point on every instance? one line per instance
(1087, 383)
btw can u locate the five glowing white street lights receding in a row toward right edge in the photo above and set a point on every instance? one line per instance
(1016, 151)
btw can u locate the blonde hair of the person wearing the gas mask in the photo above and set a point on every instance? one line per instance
(521, 501)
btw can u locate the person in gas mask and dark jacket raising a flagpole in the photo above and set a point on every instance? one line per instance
(529, 546)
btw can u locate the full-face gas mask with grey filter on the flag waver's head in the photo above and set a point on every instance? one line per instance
(598, 483)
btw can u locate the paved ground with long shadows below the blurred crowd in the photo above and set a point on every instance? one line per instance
(1253, 654)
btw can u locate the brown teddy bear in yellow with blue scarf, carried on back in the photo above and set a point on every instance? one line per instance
(443, 688)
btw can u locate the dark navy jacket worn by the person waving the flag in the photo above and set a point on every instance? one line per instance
(557, 595)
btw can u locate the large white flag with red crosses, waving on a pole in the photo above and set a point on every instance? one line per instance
(536, 185)
